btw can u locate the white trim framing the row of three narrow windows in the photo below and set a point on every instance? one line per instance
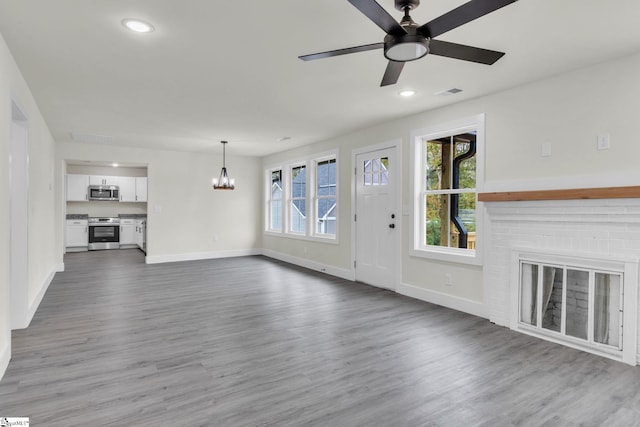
(310, 163)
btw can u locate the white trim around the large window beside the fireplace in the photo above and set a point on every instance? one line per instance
(418, 249)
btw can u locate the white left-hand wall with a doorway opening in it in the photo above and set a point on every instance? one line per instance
(42, 250)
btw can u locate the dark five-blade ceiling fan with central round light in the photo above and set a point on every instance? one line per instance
(406, 41)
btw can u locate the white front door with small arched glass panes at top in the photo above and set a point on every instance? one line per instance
(376, 218)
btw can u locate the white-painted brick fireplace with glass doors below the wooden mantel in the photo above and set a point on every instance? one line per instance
(582, 241)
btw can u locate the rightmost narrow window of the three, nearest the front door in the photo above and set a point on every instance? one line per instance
(326, 202)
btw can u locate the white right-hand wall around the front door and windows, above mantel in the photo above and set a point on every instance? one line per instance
(568, 111)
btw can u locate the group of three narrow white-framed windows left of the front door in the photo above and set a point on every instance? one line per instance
(301, 199)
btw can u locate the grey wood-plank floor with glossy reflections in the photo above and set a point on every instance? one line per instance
(255, 342)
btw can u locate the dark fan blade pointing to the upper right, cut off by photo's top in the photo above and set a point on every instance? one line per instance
(461, 15)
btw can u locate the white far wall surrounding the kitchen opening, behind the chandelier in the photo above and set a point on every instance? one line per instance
(186, 218)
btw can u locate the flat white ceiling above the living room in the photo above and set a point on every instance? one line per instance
(215, 69)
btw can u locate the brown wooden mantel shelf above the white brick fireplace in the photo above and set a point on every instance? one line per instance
(568, 194)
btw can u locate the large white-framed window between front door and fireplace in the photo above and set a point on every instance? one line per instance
(446, 176)
